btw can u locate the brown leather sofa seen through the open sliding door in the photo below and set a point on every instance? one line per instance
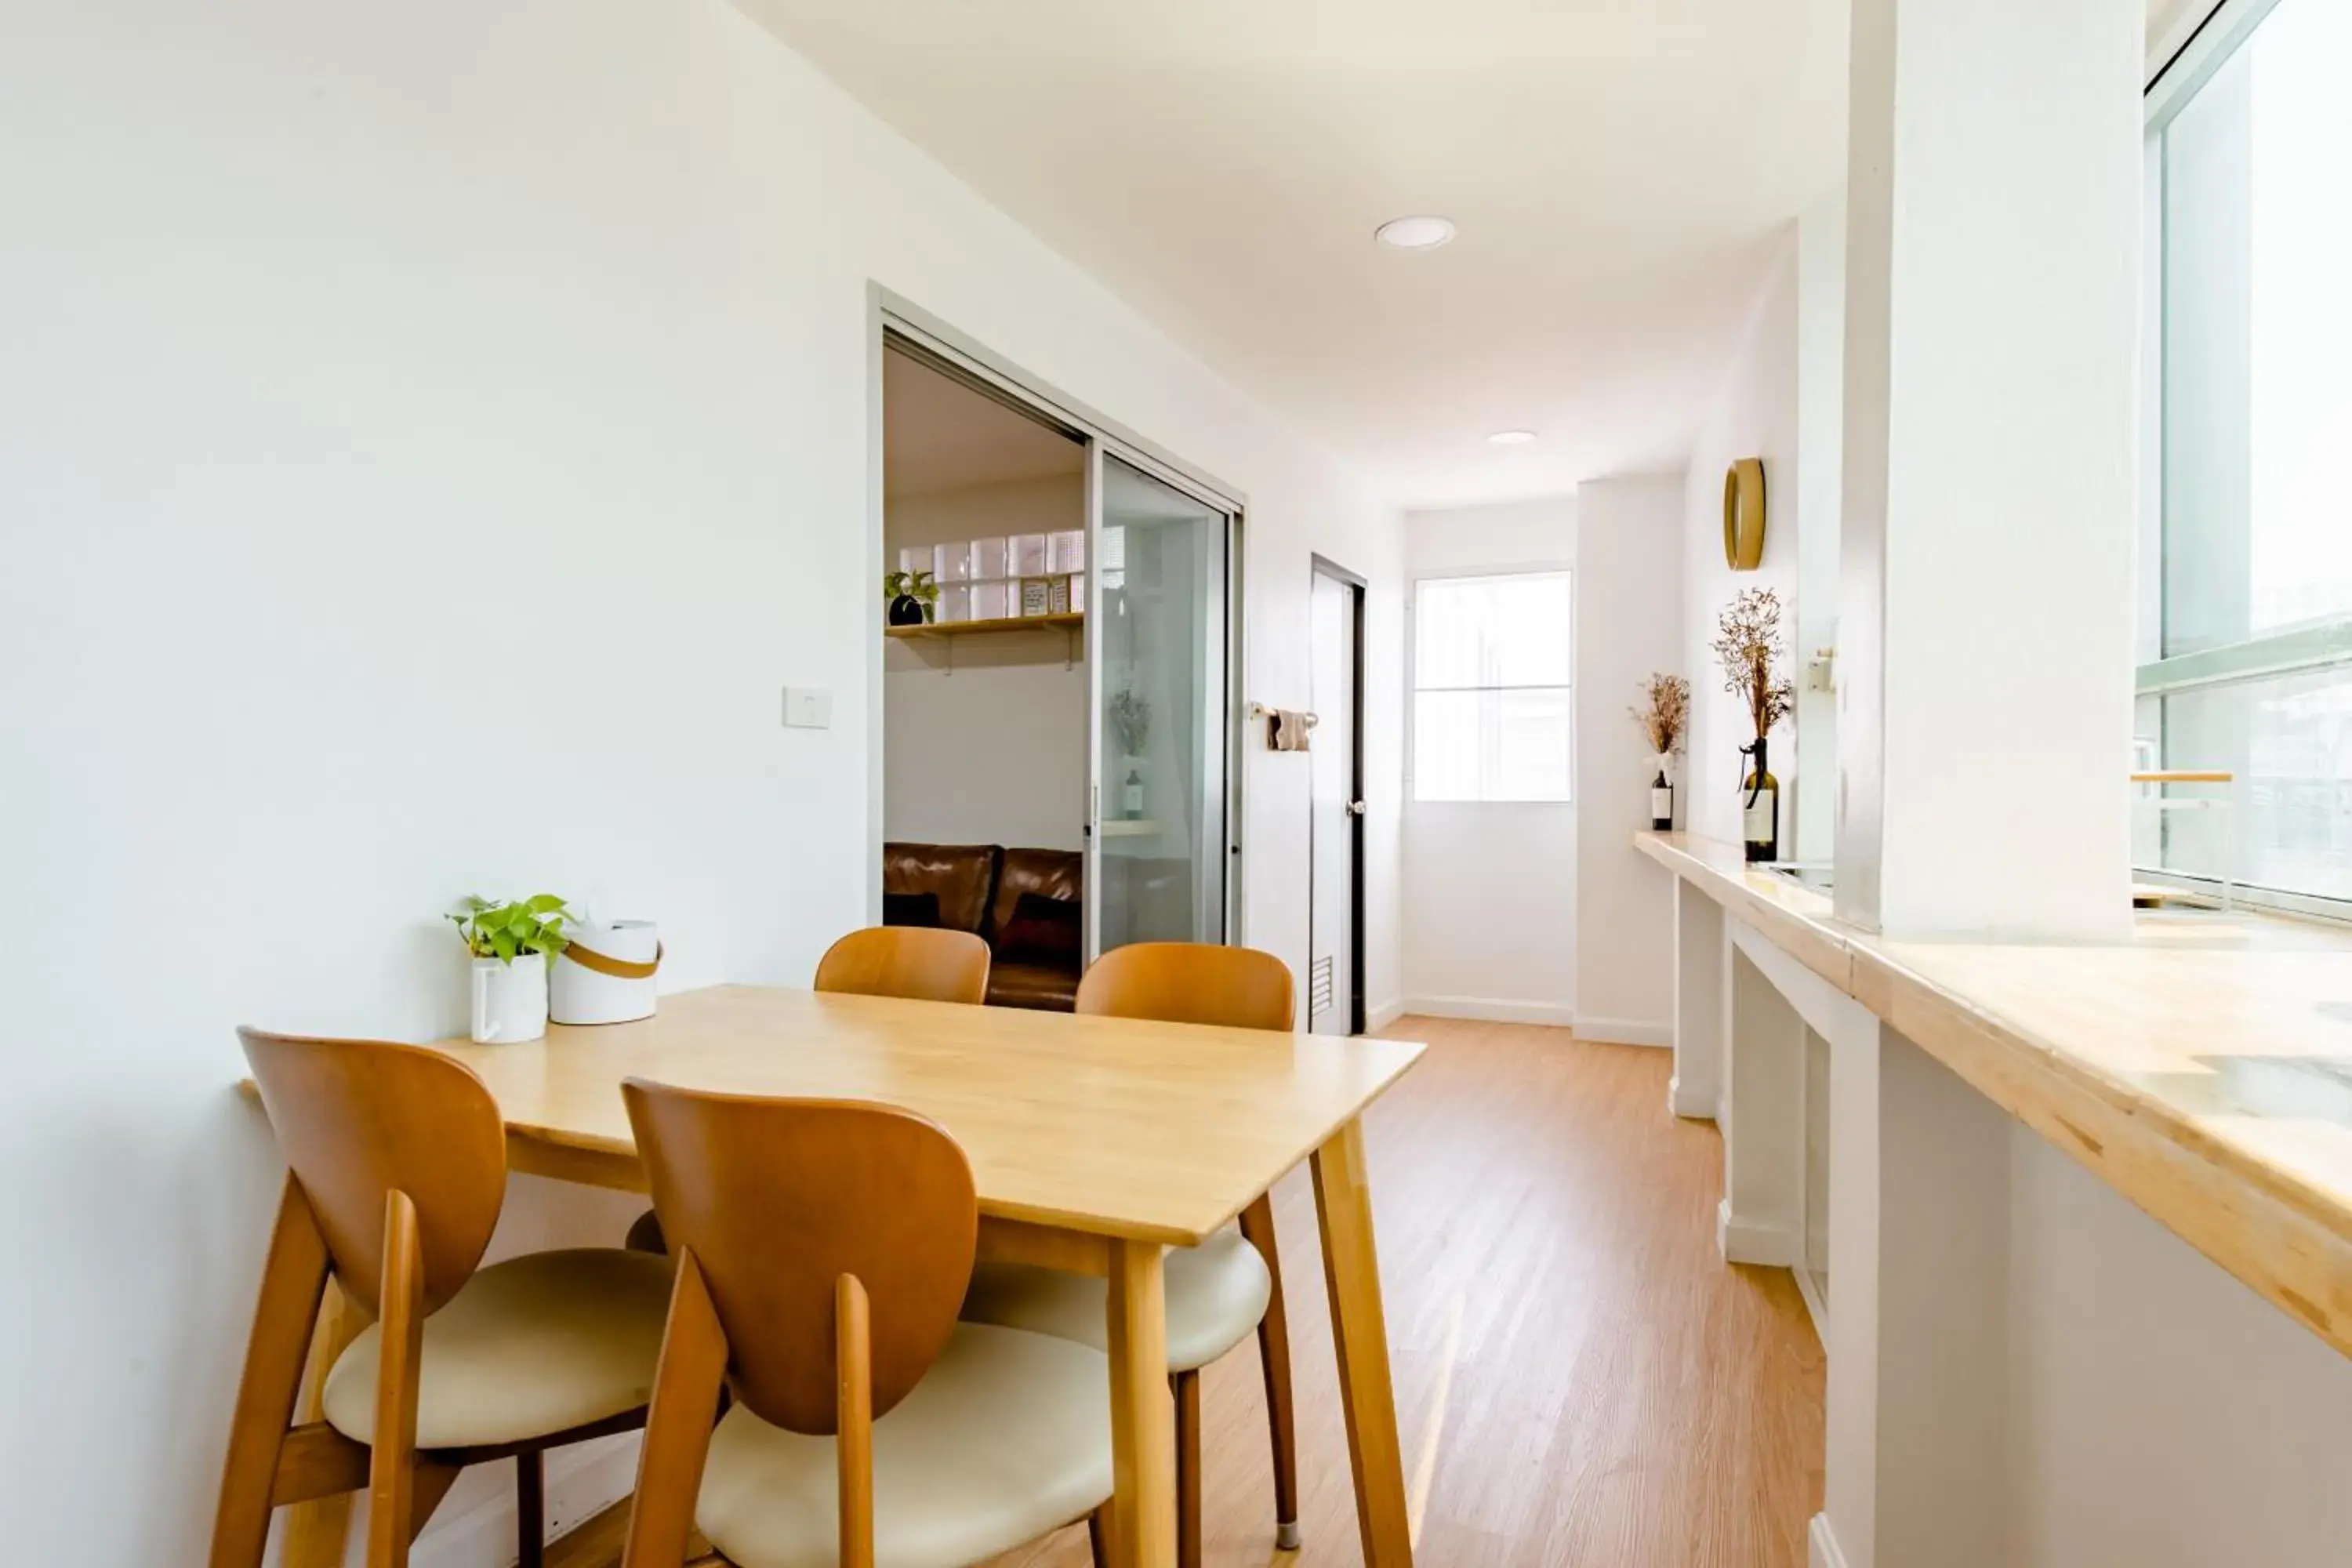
(1027, 904)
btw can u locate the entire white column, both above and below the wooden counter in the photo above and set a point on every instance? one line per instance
(1986, 648)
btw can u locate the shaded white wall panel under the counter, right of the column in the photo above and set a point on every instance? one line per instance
(2160, 1414)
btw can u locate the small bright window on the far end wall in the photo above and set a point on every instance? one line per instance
(1492, 662)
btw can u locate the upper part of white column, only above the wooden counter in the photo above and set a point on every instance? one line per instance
(1986, 601)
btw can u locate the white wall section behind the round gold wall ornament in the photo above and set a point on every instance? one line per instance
(1753, 415)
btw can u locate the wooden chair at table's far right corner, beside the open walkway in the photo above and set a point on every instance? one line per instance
(1215, 1292)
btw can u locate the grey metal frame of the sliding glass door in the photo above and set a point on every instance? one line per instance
(897, 321)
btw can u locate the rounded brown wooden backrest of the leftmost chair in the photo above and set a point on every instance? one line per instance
(363, 1118)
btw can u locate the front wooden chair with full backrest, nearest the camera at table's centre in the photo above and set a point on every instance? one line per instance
(822, 1254)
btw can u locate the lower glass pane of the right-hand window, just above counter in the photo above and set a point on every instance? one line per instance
(2290, 742)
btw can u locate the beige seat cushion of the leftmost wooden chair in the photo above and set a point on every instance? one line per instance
(526, 1348)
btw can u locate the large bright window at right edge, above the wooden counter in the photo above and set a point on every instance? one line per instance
(2247, 610)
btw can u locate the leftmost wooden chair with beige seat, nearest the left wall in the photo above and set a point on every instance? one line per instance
(396, 1172)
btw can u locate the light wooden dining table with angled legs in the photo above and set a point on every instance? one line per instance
(1095, 1144)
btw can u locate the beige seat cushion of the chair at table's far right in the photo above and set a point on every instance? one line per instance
(1217, 1296)
